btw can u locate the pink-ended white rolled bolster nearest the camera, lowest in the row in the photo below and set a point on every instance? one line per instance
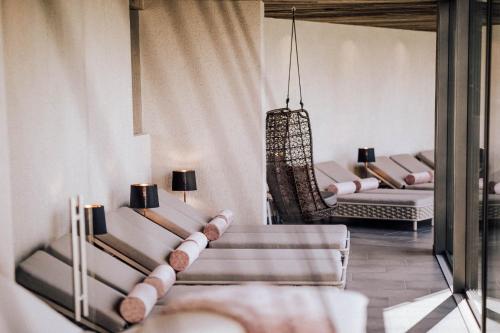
(138, 303)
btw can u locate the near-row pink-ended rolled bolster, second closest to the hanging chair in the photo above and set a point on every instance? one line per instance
(186, 253)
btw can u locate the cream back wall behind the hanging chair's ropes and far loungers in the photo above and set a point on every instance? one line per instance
(362, 86)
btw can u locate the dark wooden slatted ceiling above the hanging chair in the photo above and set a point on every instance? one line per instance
(398, 14)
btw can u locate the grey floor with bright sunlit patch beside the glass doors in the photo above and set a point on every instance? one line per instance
(395, 268)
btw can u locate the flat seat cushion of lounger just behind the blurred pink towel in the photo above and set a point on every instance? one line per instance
(300, 272)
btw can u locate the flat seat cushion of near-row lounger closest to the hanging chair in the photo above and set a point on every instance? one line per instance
(280, 241)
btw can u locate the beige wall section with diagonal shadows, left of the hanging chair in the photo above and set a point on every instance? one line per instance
(201, 92)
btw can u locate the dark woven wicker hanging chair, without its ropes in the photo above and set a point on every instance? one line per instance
(290, 168)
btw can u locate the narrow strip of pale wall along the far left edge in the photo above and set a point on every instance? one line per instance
(6, 242)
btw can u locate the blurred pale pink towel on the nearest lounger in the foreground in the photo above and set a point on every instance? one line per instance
(261, 308)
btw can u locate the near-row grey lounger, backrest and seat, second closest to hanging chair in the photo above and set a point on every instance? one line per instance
(145, 245)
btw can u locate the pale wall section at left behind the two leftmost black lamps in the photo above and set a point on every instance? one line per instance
(67, 66)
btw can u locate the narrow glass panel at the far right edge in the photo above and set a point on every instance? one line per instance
(493, 197)
